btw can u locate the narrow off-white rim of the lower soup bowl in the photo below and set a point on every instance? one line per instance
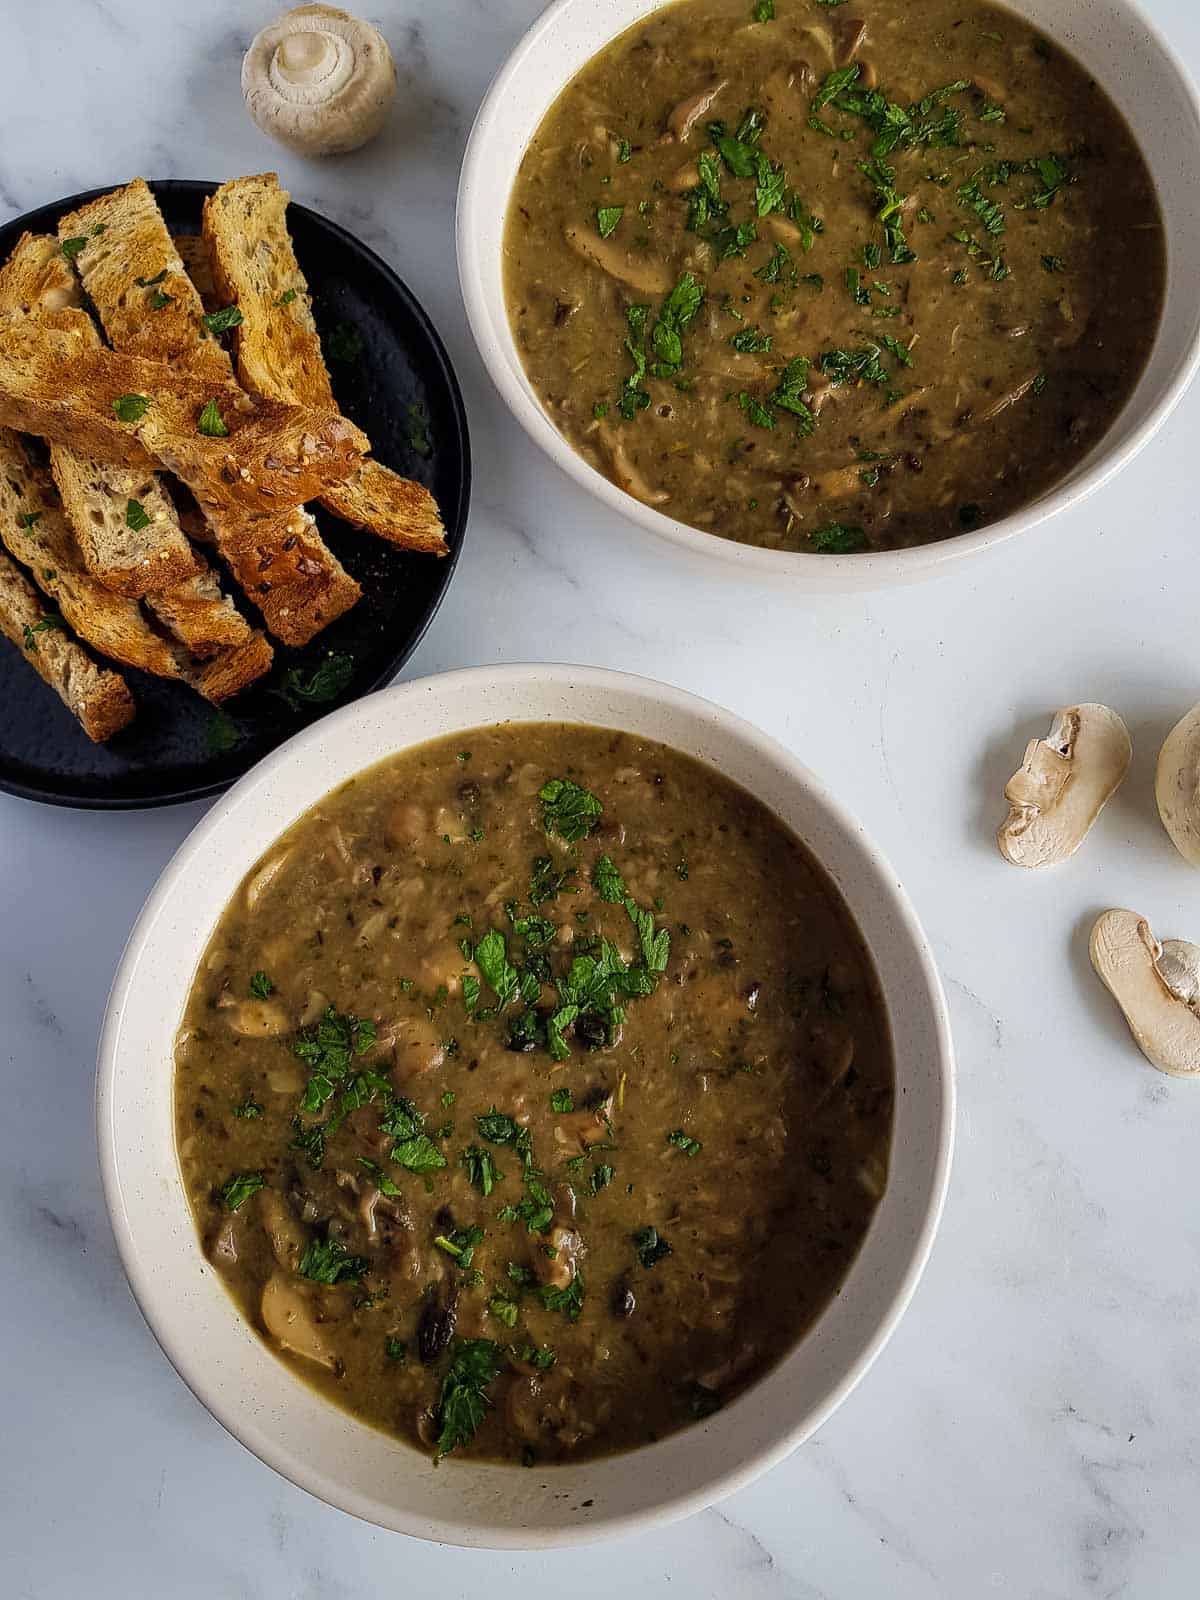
(150, 1289)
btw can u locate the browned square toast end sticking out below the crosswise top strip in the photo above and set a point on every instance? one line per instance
(289, 572)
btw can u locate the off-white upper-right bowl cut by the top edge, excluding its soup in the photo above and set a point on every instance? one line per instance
(1114, 39)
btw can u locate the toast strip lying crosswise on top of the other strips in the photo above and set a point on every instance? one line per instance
(271, 457)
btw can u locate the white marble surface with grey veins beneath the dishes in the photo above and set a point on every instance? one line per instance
(1033, 1428)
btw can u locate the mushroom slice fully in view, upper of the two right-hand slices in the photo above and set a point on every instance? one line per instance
(1063, 785)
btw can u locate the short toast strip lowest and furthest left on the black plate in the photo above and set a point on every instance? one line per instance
(100, 700)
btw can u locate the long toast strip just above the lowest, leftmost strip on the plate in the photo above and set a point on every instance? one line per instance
(38, 534)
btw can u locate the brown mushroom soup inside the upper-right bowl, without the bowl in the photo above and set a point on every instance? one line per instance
(834, 278)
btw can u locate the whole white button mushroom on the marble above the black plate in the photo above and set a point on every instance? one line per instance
(319, 81)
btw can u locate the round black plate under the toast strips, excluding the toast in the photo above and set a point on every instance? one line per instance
(396, 382)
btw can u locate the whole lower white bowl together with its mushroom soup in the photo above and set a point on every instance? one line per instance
(561, 1108)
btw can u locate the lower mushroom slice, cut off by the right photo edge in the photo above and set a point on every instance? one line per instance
(1158, 986)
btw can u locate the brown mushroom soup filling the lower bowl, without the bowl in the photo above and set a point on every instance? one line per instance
(535, 1094)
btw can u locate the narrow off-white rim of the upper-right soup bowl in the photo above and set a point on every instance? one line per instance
(881, 570)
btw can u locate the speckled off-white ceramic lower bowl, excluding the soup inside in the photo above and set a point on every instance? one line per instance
(231, 1370)
